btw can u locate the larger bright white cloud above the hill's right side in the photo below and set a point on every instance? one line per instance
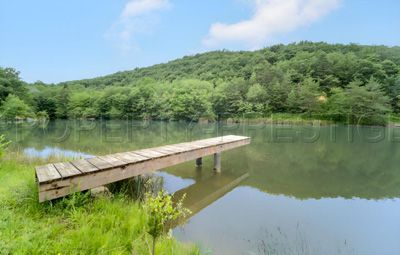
(270, 17)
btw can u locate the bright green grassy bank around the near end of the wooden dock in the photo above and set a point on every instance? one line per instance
(78, 224)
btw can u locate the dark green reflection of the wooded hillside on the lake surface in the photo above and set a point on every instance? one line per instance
(316, 169)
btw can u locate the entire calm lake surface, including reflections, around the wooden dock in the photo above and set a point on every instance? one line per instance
(294, 190)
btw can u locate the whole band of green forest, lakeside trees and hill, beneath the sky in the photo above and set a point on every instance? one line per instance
(331, 80)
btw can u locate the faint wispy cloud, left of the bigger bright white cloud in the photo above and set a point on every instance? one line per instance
(137, 17)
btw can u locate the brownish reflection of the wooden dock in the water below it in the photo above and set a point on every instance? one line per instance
(205, 192)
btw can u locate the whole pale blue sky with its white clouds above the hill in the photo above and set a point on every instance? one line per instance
(55, 41)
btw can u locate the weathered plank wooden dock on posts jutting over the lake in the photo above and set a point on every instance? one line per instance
(60, 179)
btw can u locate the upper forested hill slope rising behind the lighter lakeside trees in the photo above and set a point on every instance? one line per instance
(304, 58)
